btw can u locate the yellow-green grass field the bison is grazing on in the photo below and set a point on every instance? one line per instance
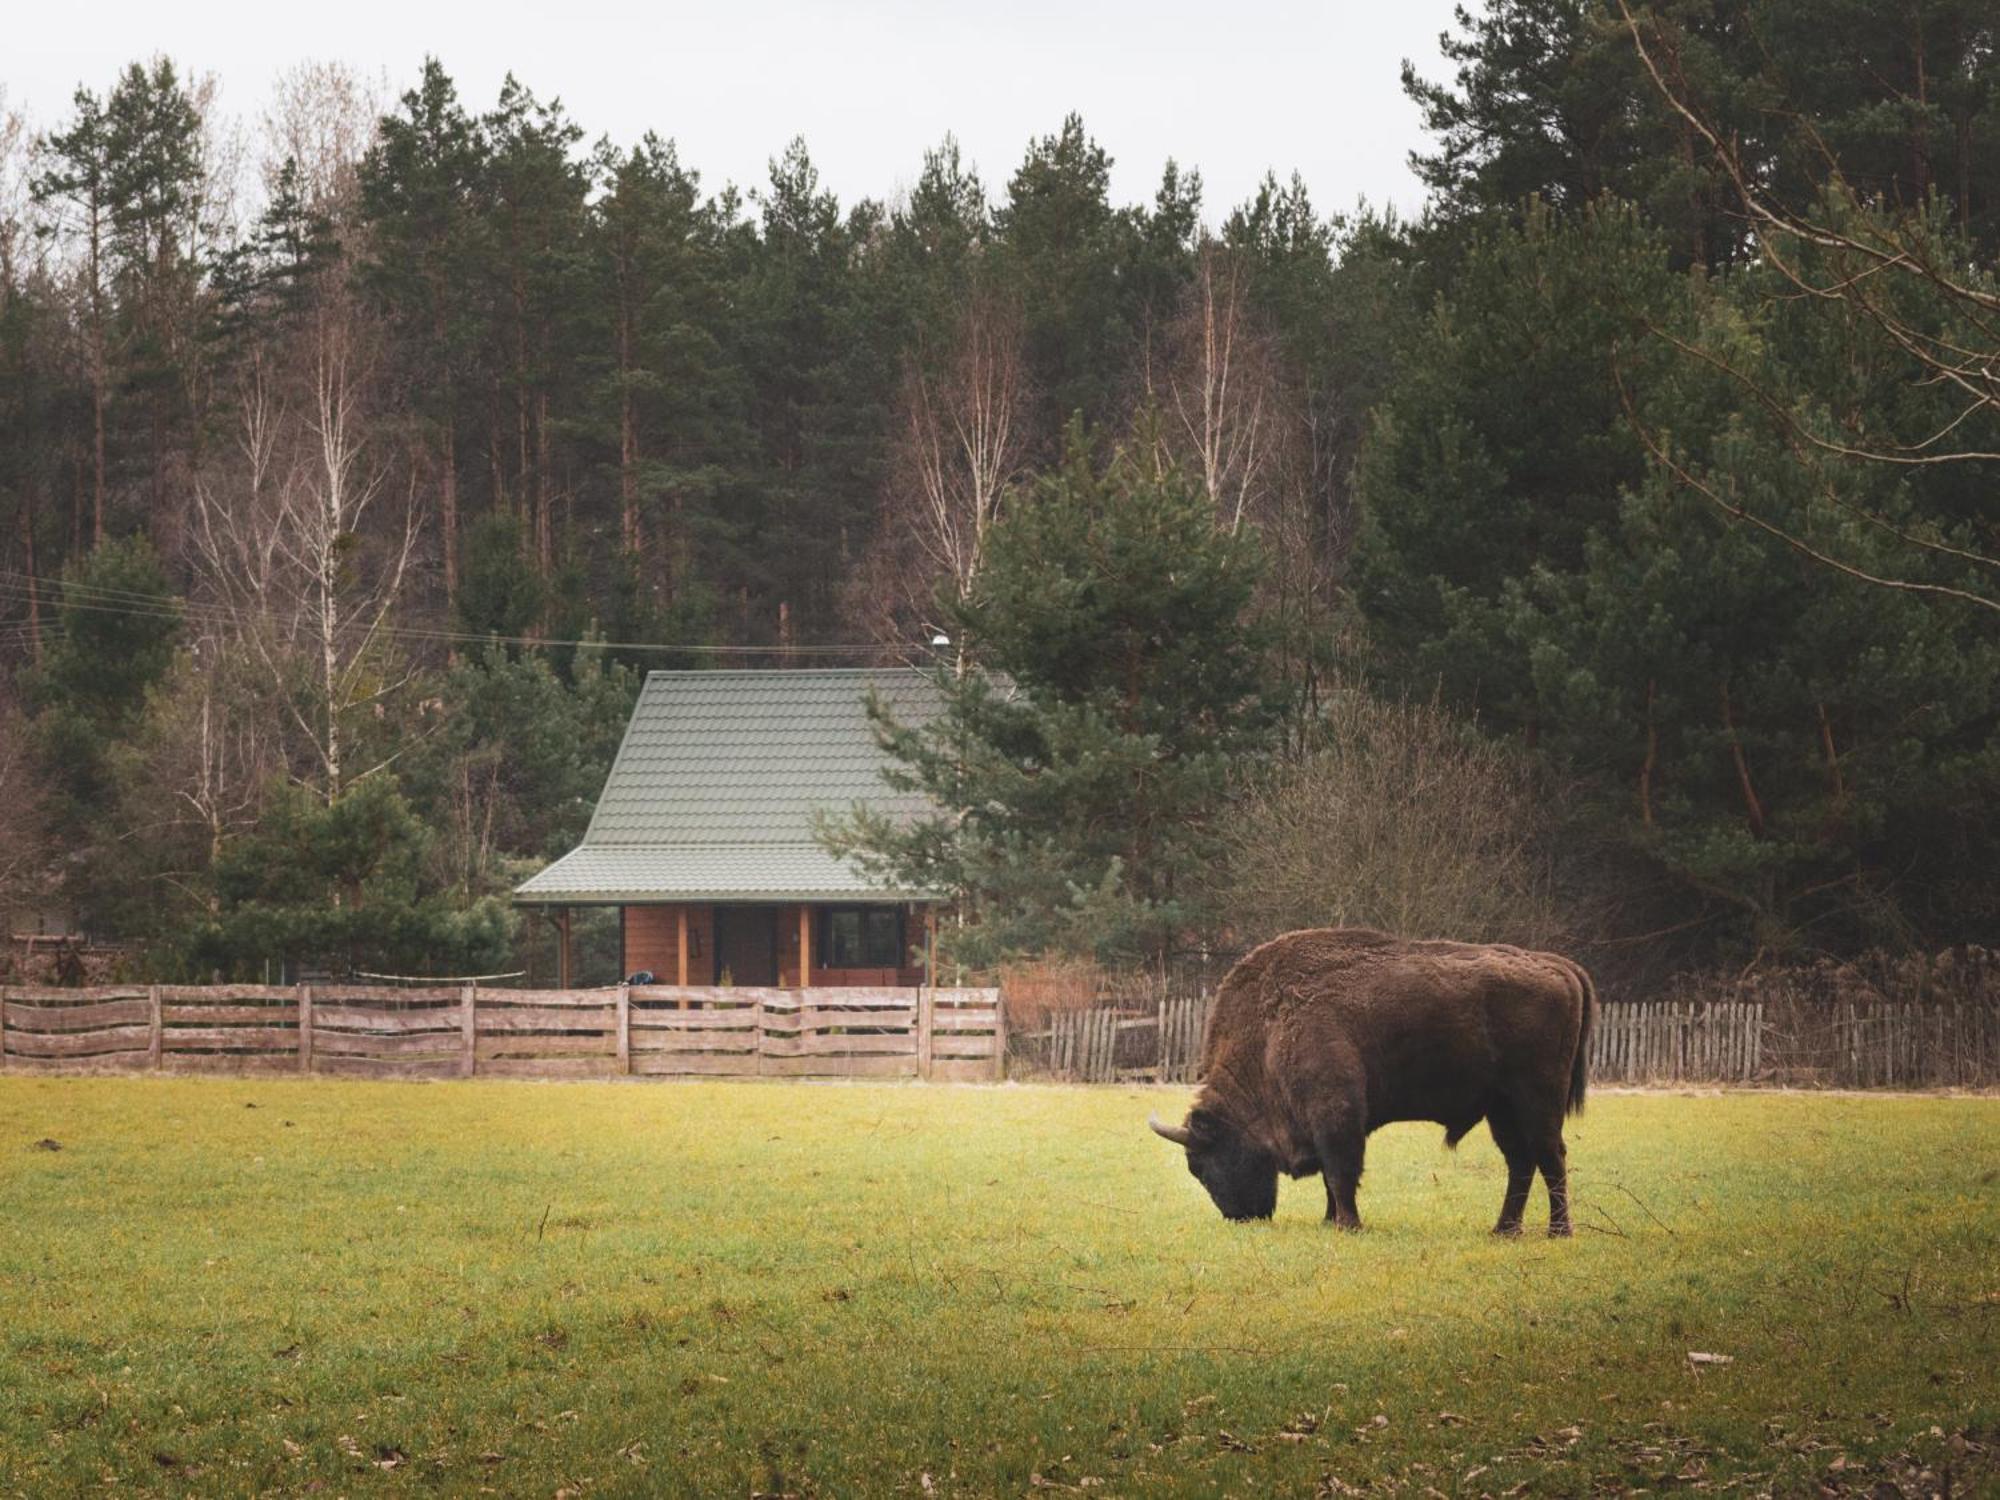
(723, 1289)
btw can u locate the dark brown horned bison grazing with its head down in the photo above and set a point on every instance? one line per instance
(1327, 1035)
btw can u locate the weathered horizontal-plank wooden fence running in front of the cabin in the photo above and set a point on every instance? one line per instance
(467, 1031)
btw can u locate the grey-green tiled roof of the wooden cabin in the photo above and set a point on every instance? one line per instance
(717, 785)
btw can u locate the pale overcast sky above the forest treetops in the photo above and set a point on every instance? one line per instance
(871, 83)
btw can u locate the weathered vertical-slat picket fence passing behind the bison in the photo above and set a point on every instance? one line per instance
(1783, 1039)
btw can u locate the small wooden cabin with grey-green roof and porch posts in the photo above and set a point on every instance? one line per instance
(703, 837)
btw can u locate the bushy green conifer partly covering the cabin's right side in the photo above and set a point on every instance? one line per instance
(1109, 689)
